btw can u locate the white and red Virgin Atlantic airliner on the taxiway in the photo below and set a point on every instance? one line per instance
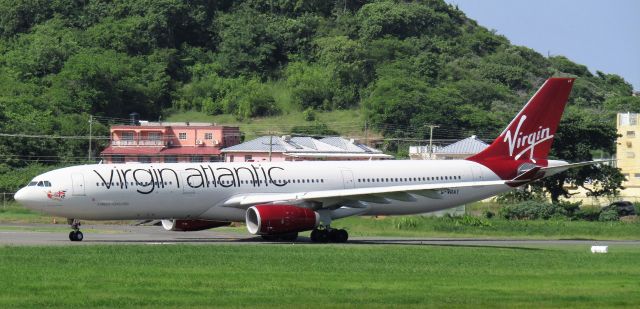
(277, 200)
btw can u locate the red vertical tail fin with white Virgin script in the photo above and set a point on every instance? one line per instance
(528, 138)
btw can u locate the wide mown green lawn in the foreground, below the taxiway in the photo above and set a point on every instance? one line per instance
(275, 276)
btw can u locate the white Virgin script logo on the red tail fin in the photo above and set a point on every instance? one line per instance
(520, 142)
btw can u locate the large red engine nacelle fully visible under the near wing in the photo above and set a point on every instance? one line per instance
(280, 219)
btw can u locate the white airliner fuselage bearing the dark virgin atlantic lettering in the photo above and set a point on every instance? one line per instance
(199, 190)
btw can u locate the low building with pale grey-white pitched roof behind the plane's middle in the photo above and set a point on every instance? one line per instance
(287, 148)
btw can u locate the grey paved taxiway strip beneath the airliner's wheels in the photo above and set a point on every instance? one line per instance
(49, 234)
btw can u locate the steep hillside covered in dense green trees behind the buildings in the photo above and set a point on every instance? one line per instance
(397, 65)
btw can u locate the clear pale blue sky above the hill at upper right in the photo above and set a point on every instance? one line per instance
(603, 35)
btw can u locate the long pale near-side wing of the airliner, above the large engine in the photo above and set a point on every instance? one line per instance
(376, 194)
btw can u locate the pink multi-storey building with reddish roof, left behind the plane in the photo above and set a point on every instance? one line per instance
(169, 142)
